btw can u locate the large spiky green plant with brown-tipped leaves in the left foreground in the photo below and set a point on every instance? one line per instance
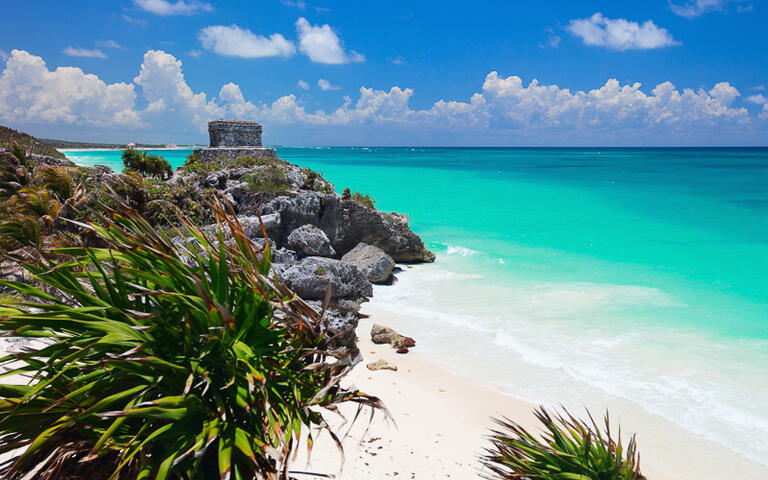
(160, 359)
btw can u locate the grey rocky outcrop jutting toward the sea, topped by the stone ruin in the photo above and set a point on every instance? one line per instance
(319, 240)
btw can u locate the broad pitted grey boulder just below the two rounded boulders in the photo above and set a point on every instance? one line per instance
(312, 276)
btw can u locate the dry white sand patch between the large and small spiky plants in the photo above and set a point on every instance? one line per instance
(442, 422)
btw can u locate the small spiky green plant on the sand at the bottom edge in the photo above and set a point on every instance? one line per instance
(567, 449)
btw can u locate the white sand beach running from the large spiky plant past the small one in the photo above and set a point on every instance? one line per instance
(443, 420)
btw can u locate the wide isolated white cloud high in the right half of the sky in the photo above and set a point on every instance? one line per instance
(620, 34)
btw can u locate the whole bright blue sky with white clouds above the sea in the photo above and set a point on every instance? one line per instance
(679, 72)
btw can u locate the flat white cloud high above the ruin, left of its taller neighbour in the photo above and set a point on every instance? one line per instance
(234, 41)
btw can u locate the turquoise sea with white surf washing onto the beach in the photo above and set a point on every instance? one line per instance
(634, 279)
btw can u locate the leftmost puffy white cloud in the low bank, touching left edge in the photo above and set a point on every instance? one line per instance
(31, 93)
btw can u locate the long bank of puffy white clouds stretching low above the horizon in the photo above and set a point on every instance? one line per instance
(32, 93)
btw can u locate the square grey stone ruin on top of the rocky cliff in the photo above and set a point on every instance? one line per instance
(232, 139)
